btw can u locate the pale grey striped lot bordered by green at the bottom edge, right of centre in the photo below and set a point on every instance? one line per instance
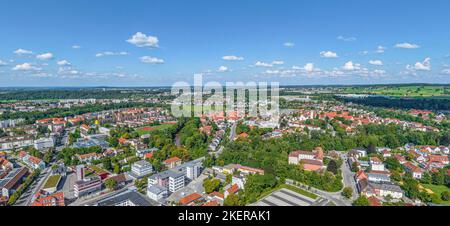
(285, 197)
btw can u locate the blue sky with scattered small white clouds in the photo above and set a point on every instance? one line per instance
(153, 43)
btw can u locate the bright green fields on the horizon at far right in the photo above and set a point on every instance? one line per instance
(401, 91)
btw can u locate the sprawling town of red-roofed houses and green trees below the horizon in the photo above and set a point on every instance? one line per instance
(131, 151)
